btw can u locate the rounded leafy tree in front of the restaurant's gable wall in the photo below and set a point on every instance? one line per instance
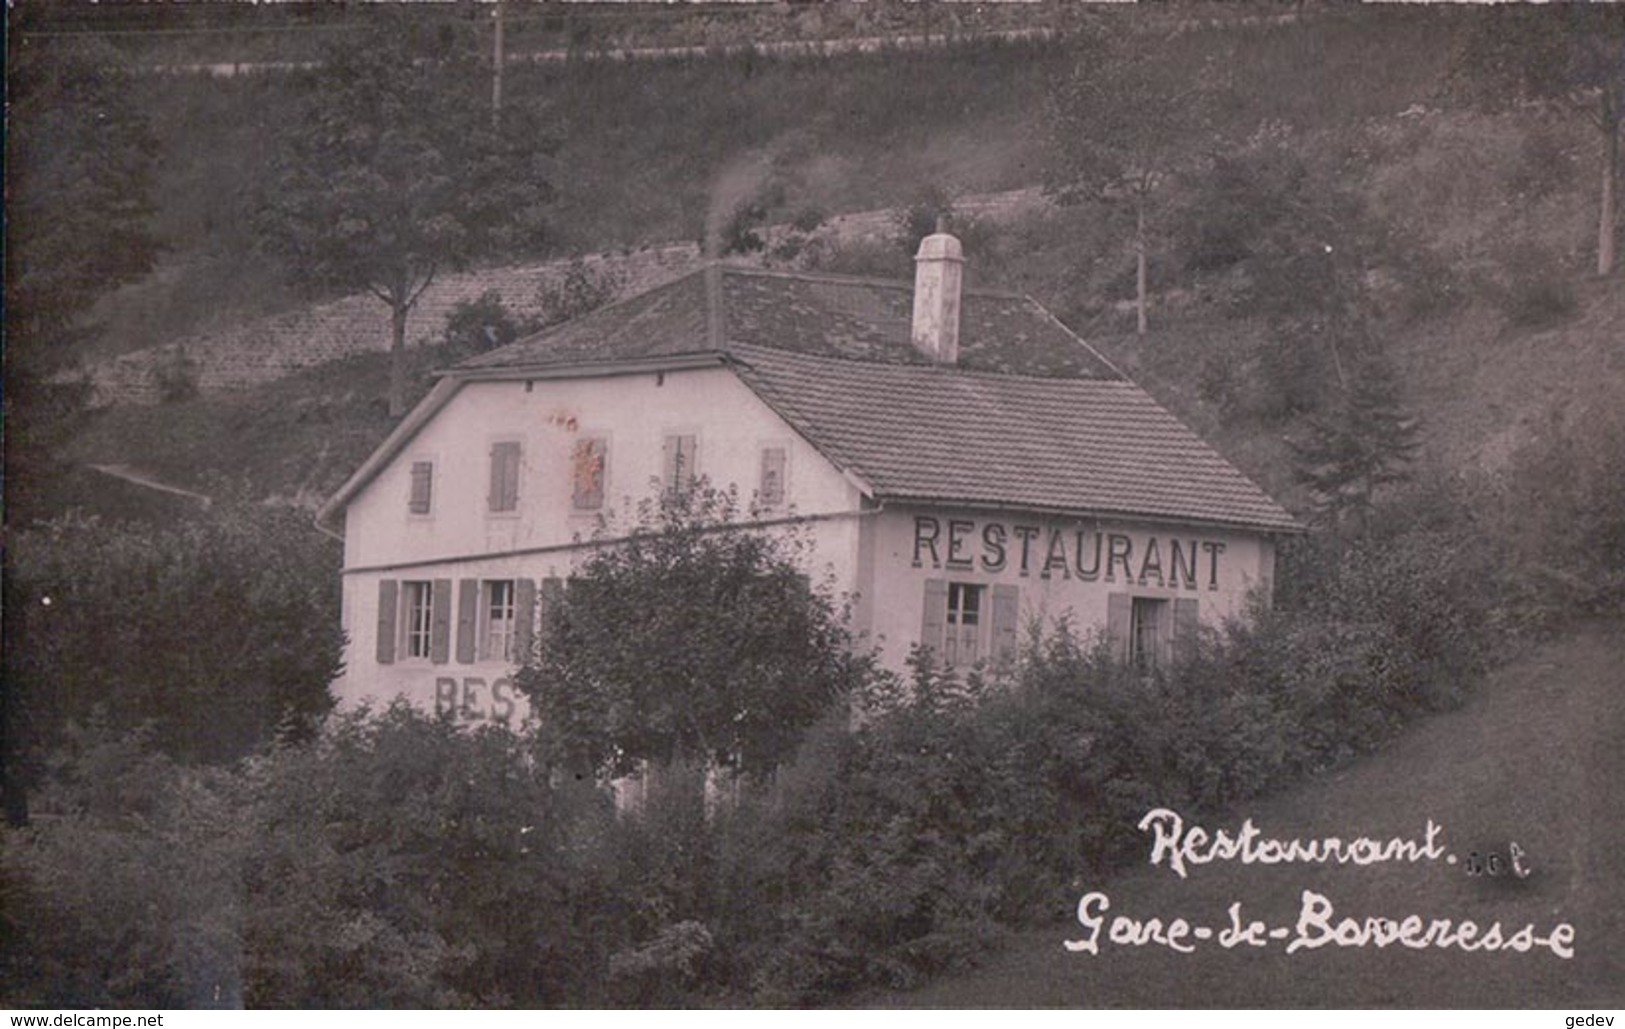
(693, 640)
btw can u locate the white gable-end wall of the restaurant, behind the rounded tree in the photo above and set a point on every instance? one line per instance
(461, 539)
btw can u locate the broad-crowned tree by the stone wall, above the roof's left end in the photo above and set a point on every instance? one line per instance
(396, 171)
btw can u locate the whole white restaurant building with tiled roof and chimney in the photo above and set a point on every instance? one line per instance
(963, 464)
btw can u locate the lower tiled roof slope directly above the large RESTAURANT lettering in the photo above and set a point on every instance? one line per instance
(930, 433)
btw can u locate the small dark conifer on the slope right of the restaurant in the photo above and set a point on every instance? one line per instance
(1363, 445)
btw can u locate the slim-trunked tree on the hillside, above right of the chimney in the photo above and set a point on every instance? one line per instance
(1122, 124)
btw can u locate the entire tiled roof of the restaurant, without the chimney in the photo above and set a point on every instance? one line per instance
(1029, 419)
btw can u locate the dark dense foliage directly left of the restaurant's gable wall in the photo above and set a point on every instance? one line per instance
(220, 630)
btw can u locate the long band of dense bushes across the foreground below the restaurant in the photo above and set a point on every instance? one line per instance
(402, 861)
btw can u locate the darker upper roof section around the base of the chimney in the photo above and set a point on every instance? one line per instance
(812, 315)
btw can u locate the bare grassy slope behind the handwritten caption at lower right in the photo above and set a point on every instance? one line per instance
(1536, 758)
